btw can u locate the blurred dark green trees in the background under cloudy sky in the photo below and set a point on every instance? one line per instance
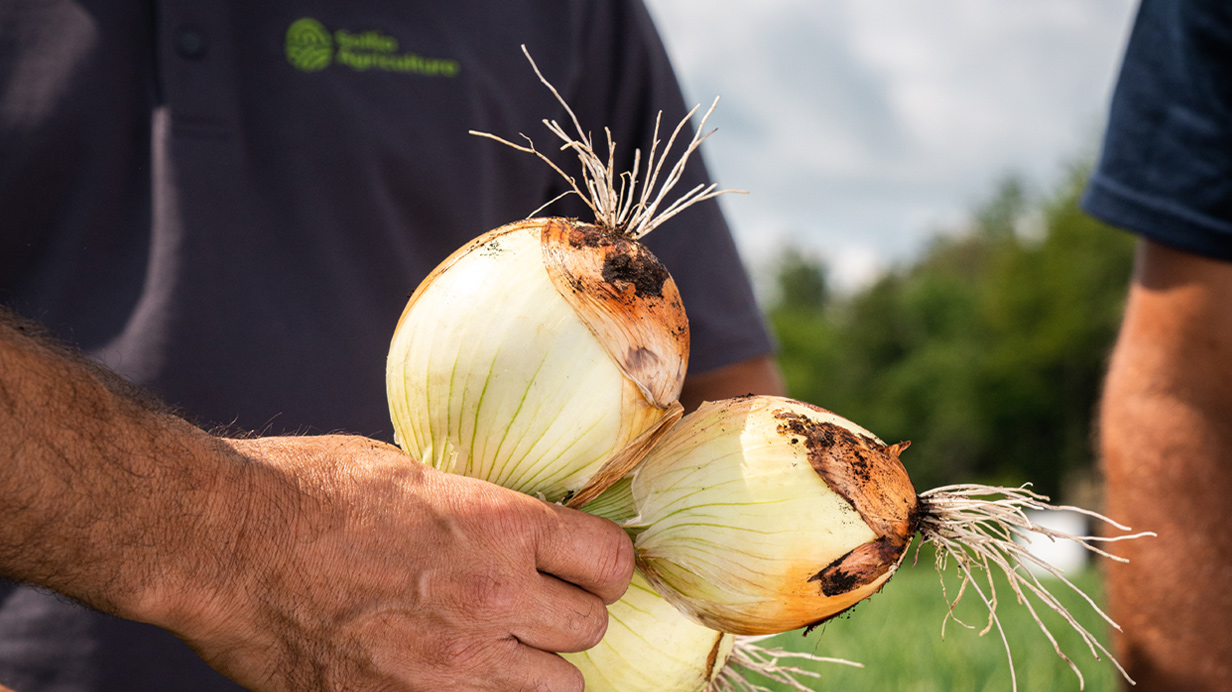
(987, 353)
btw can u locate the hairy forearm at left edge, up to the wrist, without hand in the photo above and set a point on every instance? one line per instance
(104, 496)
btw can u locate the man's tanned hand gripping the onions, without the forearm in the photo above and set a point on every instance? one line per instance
(378, 573)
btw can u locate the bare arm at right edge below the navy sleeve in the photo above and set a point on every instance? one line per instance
(1167, 446)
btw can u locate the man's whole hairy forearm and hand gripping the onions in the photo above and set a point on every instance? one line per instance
(295, 563)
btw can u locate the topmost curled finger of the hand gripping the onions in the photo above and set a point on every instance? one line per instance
(587, 551)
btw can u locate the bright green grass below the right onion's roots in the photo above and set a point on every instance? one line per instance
(898, 637)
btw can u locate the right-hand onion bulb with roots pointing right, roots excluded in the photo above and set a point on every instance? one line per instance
(761, 515)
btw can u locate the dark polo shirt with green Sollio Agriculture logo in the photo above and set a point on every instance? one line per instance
(230, 204)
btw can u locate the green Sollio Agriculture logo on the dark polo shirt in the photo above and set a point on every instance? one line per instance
(311, 47)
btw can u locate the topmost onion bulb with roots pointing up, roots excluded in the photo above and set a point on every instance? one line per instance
(527, 361)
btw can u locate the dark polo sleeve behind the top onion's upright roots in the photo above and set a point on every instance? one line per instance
(623, 82)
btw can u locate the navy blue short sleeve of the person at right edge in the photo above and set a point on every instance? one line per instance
(1166, 167)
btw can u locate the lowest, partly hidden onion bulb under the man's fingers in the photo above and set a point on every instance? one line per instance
(651, 647)
